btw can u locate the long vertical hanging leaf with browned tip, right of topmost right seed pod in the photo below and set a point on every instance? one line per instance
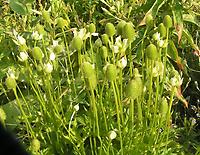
(178, 19)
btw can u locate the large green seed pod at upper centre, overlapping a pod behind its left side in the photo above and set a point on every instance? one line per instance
(128, 31)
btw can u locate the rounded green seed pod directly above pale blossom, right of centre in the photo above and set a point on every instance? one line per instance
(151, 52)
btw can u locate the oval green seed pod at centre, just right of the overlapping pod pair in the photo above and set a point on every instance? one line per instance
(111, 72)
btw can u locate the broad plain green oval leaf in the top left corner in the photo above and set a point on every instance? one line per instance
(18, 7)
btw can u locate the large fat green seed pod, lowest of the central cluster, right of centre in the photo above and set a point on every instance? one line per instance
(134, 88)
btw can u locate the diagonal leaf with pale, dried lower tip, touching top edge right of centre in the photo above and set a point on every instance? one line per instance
(153, 10)
